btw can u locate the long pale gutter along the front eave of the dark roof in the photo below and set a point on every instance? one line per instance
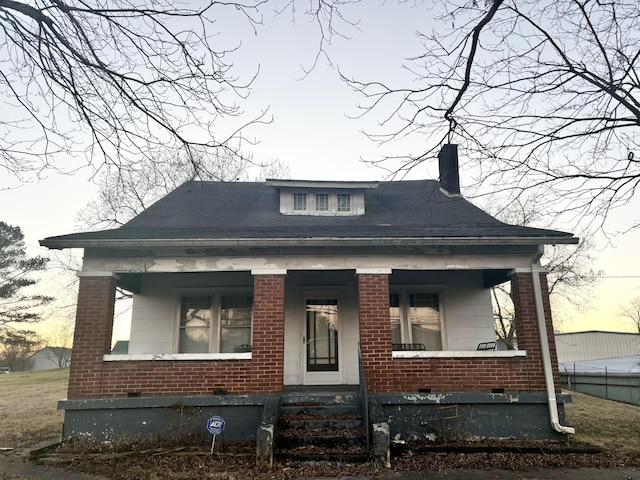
(54, 243)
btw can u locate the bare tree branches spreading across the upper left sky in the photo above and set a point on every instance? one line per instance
(108, 81)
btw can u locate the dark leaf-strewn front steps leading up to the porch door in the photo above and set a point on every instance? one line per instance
(321, 427)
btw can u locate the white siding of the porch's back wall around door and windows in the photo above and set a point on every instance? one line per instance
(465, 310)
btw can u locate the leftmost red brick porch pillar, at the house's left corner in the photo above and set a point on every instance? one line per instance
(92, 339)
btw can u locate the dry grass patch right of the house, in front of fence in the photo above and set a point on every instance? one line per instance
(604, 423)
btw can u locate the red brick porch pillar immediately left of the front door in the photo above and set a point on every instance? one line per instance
(267, 359)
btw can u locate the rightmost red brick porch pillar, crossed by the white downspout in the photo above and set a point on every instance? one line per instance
(527, 326)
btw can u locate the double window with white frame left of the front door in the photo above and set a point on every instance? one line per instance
(217, 323)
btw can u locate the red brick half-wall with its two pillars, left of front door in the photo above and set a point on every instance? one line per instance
(90, 377)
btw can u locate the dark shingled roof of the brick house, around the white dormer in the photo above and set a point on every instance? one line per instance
(250, 210)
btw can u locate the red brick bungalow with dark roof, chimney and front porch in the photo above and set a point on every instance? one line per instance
(243, 291)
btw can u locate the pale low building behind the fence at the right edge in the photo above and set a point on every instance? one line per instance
(599, 352)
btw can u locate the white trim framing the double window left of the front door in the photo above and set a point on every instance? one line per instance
(216, 326)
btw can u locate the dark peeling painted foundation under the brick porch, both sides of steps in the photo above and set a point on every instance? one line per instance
(410, 416)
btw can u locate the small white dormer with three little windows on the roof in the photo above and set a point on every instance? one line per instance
(321, 198)
